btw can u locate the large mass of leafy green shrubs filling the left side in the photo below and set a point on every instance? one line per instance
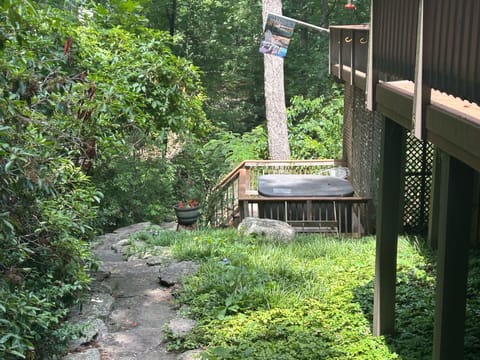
(74, 95)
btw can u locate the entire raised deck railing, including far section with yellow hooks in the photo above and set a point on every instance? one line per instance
(450, 38)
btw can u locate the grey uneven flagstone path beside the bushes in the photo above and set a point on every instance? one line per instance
(130, 304)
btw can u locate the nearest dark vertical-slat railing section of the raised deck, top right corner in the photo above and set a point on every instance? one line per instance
(451, 43)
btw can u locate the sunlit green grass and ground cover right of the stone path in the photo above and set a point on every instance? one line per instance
(311, 299)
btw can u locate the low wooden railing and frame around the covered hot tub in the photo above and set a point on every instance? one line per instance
(236, 197)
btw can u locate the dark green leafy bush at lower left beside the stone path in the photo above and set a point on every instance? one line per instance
(44, 254)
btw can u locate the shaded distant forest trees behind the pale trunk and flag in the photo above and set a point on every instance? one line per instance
(223, 37)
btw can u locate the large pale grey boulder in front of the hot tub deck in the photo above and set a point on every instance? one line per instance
(271, 230)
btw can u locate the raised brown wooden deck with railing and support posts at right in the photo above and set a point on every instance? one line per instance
(433, 43)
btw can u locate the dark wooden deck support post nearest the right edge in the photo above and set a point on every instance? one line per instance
(456, 210)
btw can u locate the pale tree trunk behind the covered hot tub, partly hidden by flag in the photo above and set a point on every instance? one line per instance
(276, 112)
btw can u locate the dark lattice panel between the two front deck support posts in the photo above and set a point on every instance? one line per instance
(418, 182)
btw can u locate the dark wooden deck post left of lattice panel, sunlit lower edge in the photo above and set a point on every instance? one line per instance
(389, 213)
